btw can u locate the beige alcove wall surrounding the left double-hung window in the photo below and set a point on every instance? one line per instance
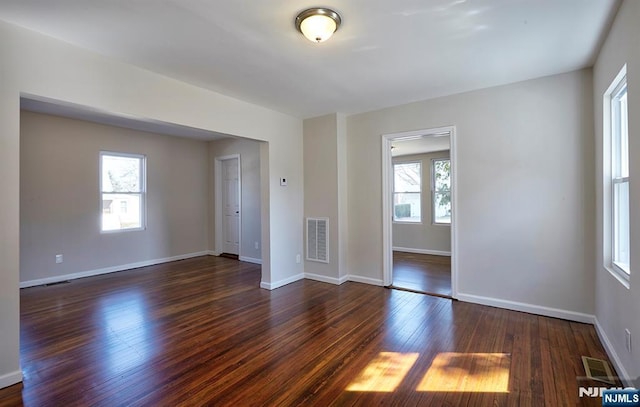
(60, 200)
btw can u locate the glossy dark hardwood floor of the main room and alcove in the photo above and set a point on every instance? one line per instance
(201, 332)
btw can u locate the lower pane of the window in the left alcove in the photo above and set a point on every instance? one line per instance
(121, 211)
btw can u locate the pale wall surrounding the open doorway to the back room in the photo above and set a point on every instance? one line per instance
(524, 186)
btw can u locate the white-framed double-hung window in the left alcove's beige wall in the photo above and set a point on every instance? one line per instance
(122, 186)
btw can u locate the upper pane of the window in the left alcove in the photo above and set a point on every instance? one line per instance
(121, 174)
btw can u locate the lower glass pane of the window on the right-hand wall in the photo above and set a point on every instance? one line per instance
(621, 224)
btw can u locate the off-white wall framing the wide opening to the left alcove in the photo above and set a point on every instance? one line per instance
(38, 65)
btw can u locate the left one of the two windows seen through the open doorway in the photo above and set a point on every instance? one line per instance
(407, 190)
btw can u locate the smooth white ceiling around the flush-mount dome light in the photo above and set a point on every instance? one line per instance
(387, 52)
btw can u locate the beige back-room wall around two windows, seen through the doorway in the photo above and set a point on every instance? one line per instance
(425, 236)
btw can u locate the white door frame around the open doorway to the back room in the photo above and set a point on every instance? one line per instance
(387, 200)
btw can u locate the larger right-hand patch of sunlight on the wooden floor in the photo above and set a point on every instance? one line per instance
(468, 372)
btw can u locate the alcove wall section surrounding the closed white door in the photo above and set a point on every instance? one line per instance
(249, 151)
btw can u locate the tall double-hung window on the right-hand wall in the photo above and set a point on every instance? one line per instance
(618, 190)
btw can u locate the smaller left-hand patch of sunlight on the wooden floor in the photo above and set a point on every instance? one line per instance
(384, 373)
